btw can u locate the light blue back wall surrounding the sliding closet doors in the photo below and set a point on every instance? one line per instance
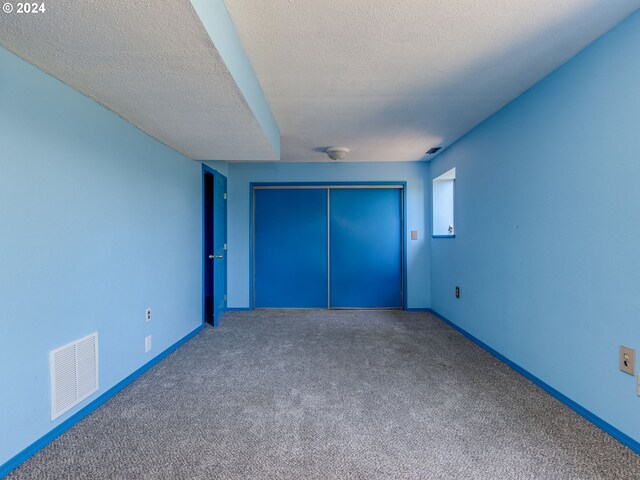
(418, 192)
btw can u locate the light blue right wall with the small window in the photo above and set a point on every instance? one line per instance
(547, 247)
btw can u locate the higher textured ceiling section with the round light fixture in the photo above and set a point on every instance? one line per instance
(391, 78)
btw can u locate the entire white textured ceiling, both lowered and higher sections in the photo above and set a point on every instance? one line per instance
(386, 78)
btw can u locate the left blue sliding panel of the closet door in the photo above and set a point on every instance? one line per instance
(290, 248)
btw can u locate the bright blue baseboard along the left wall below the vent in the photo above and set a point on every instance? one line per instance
(47, 438)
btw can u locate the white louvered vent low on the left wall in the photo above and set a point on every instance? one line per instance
(74, 373)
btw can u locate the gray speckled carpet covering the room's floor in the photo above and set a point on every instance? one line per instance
(332, 395)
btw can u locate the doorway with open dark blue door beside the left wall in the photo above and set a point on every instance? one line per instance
(214, 245)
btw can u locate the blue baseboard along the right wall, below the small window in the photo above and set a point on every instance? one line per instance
(576, 407)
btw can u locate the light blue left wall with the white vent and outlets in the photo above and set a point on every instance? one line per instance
(98, 221)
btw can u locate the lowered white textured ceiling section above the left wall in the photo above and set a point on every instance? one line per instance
(151, 62)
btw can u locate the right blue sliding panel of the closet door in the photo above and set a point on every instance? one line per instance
(366, 248)
